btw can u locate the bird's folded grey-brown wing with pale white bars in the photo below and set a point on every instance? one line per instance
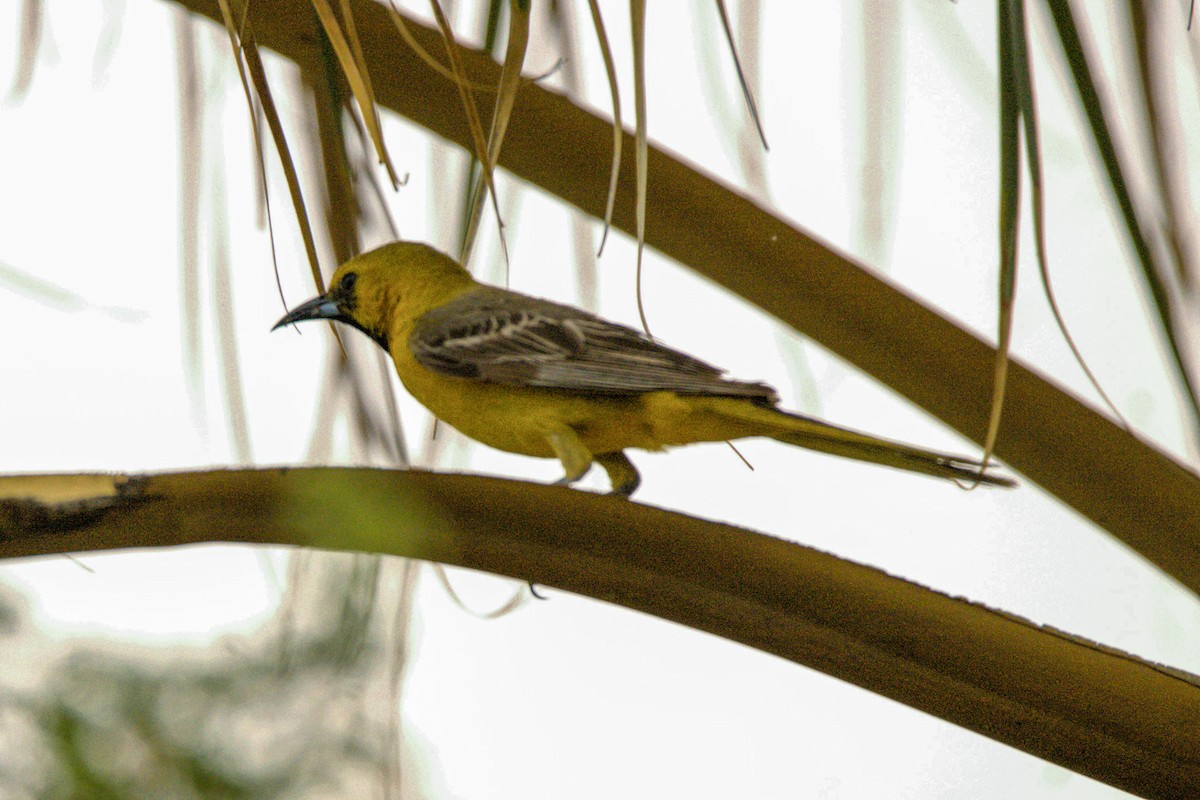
(499, 336)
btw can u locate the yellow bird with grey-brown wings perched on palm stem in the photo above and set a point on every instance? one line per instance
(543, 380)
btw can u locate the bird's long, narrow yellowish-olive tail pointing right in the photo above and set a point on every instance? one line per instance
(806, 432)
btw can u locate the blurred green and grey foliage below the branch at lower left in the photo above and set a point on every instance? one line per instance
(297, 711)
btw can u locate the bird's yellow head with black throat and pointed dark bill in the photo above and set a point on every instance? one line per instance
(388, 285)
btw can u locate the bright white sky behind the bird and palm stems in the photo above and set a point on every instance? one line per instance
(571, 697)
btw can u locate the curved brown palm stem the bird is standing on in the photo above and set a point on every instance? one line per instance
(1097, 712)
